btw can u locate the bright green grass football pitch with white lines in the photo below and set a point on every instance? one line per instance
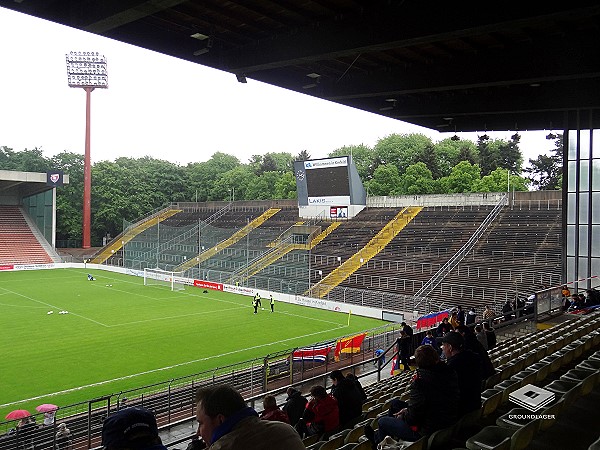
(119, 334)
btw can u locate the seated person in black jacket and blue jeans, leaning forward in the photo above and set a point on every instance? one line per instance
(432, 404)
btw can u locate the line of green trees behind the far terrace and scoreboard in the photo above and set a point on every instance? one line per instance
(398, 164)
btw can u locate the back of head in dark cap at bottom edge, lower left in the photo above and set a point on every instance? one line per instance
(131, 428)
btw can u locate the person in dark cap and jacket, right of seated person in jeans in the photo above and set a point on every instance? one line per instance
(467, 366)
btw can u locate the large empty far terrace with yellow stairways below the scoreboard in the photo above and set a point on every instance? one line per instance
(384, 257)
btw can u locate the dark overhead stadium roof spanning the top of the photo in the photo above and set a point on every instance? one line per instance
(449, 66)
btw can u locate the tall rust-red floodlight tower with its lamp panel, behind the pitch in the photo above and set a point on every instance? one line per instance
(87, 70)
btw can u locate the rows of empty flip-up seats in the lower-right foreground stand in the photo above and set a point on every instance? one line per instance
(534, 359)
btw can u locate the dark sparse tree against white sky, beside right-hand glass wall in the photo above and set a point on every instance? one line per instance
(545, 171)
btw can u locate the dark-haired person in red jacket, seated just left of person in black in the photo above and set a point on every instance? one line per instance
(321, 414)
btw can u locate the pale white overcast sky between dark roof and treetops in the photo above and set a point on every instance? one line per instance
(167, 108)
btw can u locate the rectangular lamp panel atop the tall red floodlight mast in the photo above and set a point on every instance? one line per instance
(87, 69)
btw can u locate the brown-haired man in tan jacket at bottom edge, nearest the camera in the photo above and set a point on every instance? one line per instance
(226, 423)
